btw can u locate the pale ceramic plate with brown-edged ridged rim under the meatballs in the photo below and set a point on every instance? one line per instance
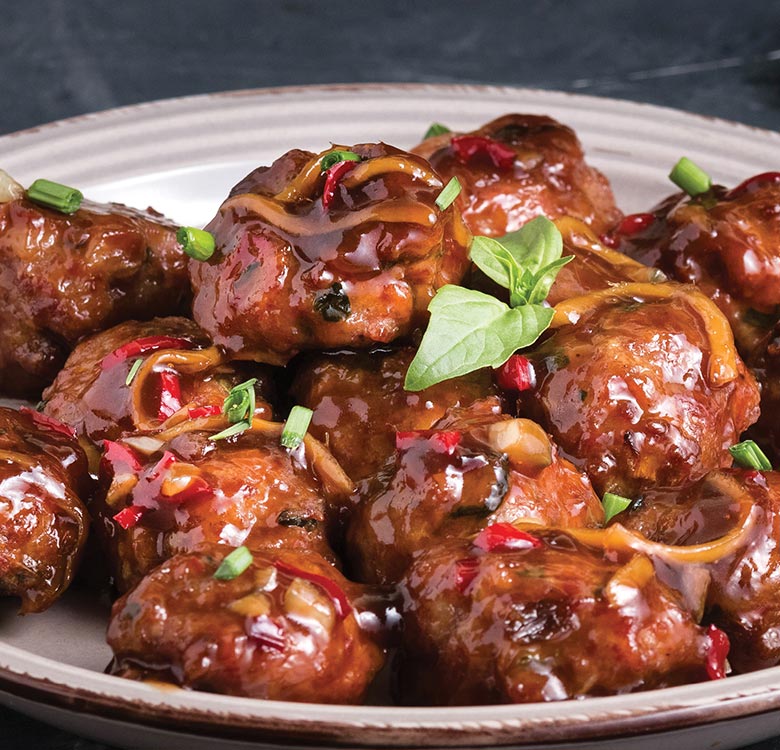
(182, 156)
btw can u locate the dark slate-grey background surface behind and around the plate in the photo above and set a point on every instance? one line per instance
(64, 58)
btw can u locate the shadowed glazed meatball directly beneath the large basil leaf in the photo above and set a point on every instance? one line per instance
(359, 403)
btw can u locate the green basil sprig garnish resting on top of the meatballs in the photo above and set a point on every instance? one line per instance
(469, 330)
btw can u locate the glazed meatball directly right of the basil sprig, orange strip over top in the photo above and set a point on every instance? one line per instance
(641, 385)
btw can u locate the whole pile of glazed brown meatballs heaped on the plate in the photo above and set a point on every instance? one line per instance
(453, 538)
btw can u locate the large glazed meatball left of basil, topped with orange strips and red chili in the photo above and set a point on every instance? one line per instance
(313, 260)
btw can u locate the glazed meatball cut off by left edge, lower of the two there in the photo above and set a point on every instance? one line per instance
(43, 523)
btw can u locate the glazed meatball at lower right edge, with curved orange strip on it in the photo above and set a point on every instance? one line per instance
(737, 513)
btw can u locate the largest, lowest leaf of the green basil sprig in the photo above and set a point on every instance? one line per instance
(469, 330)
